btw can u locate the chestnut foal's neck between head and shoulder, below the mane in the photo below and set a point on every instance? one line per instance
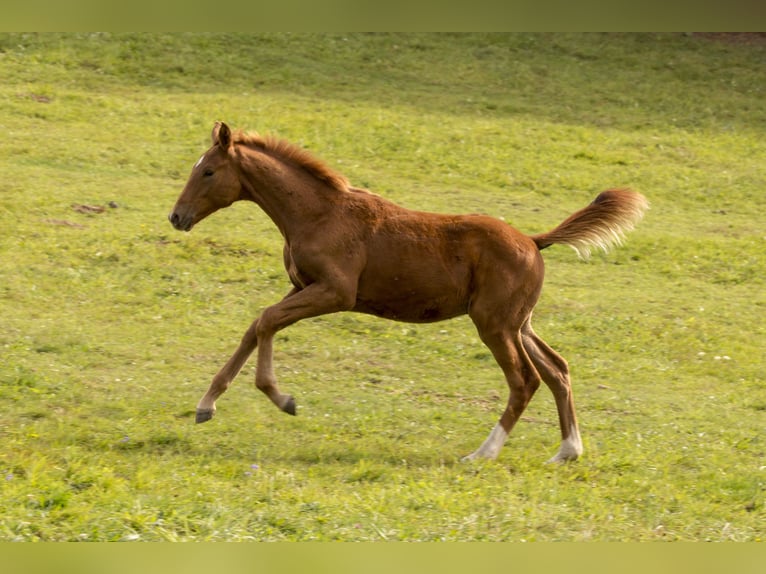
(291, 198)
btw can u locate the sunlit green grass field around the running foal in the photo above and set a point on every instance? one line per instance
(113, 323)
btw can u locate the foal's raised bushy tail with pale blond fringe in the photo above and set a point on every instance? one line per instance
(602, 224)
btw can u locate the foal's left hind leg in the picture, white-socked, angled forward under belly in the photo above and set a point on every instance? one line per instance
(522, 379)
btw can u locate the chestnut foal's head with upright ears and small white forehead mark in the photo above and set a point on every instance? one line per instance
(212, 185)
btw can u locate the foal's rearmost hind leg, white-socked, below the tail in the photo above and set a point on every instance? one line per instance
(555, 372)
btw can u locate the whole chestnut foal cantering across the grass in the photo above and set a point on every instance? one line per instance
(347, 249)
